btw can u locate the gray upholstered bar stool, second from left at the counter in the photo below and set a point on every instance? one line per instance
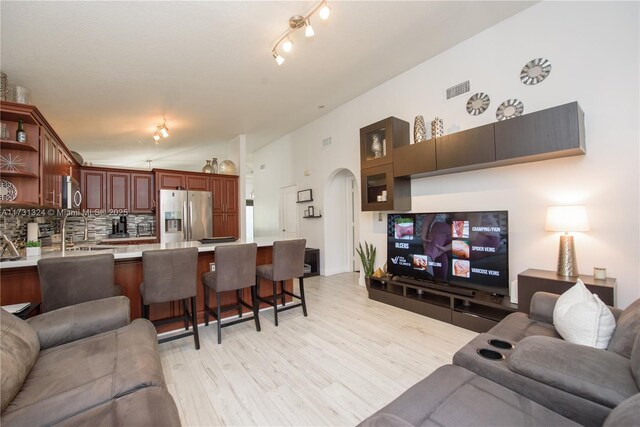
(171, 275)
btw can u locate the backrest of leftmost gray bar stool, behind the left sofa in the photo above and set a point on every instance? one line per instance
(66, 281)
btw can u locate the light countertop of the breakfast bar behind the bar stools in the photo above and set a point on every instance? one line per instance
(129, 251)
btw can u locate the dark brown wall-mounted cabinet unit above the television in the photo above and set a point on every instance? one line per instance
(547, 134)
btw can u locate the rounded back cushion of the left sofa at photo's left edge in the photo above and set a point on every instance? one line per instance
(19, 348)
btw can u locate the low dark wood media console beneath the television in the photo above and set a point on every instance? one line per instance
(470, 309)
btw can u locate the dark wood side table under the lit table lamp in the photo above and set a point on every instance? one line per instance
(531, 281)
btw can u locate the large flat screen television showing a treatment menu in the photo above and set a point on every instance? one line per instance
(466, 249)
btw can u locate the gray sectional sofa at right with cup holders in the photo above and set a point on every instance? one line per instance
(542, 380)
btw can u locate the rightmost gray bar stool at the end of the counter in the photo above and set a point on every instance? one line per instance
(288, 263)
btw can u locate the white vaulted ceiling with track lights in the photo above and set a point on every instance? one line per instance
(105, 73)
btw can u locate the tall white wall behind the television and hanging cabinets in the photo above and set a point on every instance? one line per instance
(594, 49)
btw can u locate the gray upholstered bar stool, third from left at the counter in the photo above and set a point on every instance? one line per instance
(235, 270)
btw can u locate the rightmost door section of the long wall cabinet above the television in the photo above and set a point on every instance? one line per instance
(550, 133)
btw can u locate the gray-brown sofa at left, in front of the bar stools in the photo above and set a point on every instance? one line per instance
(83, 365)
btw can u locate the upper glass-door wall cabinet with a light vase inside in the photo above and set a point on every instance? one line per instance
(378, 141)
